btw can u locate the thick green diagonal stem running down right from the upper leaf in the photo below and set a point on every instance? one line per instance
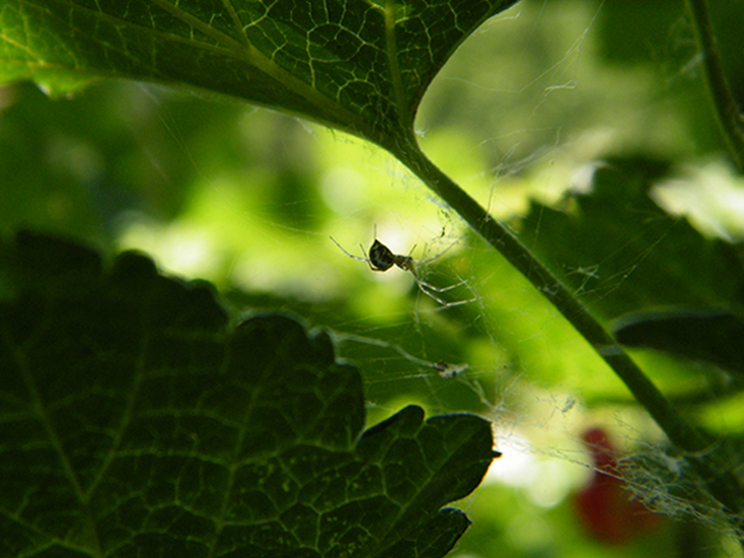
(721, 483)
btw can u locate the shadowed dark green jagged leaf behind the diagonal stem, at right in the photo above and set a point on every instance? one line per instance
(622, 253)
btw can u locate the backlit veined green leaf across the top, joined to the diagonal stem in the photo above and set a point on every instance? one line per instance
(358, 65)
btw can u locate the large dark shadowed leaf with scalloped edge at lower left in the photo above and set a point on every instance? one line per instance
(136, 422)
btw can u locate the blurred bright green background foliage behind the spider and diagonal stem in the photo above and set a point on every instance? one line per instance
(537, 112)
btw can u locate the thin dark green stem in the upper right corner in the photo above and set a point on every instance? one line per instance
(728, 114)
